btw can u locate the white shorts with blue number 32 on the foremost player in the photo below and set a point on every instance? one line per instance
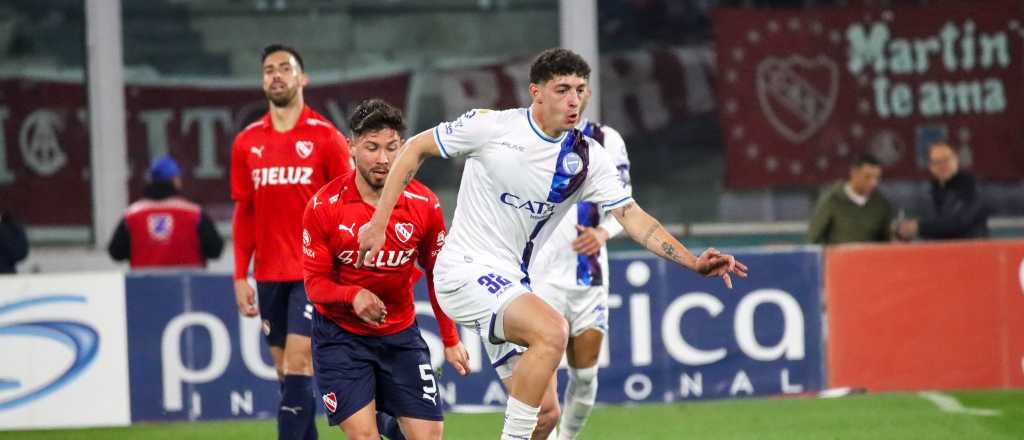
(476, 295)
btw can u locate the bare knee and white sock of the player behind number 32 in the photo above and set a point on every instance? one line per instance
(581, 392)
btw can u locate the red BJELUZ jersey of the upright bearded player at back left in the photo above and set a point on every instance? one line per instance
(274, 174)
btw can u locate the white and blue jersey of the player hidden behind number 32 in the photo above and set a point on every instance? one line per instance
(558, 265)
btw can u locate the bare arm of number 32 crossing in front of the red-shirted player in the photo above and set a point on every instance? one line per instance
(406, 165)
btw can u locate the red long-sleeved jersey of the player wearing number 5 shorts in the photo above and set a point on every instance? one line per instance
(415, 234)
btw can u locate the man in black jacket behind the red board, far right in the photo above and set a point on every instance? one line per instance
(958, 210)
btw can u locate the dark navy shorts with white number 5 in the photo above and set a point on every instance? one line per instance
(354, 370)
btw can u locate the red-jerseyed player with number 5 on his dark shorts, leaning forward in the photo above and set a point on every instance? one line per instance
(368, 353)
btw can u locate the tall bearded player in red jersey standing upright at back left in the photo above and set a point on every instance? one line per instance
(278, 163)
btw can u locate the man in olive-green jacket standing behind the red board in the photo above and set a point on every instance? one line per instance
(854, 211)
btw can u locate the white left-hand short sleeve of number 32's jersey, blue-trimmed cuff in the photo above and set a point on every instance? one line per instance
(467, 135)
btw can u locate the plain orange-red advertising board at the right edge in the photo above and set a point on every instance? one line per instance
(926, 317)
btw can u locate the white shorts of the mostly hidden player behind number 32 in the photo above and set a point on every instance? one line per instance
(583, 307)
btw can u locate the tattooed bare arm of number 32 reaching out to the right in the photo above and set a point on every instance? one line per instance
(648, 232)
